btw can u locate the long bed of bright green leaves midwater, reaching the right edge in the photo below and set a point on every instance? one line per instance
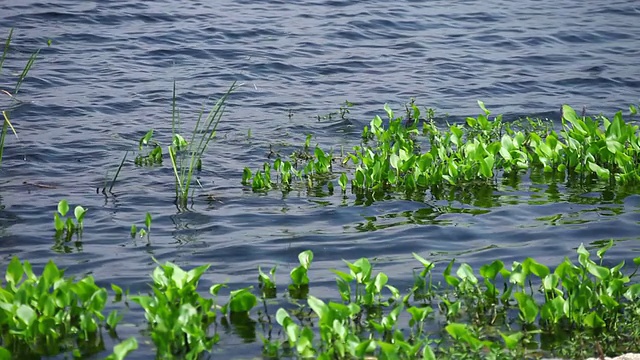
(390, 157)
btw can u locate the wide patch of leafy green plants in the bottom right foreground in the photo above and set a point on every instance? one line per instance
(586, 302)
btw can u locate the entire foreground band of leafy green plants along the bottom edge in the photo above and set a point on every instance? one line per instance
(501, 311)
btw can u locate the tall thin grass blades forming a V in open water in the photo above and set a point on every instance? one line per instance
(203, 132)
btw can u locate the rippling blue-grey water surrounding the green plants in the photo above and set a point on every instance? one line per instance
(107, 79)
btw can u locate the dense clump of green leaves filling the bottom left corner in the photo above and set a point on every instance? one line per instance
(51, 314)
